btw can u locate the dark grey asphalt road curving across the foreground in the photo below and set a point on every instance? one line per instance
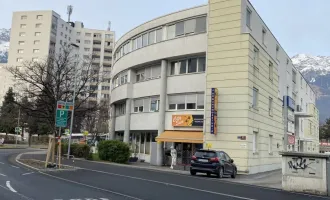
(96, 181)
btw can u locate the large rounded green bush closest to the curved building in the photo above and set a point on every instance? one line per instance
(114, 151)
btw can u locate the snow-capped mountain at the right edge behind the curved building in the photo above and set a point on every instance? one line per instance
(316, 70)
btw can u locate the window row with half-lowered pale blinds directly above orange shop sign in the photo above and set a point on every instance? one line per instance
(186, 101)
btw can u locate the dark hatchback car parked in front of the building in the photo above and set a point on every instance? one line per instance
(213, 162)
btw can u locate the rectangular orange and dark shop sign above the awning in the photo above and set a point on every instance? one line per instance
(187, 120)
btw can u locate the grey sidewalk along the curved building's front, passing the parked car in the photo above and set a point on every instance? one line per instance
(272, 179)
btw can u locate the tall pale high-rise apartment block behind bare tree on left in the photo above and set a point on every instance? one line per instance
(37, 34)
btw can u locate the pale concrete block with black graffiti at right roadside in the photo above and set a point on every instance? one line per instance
(305, 172)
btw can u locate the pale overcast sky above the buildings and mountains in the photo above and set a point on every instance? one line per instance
(301, 26)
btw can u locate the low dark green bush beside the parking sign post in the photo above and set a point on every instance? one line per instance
(77, 150)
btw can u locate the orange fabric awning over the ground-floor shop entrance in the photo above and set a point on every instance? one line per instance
(181, 136)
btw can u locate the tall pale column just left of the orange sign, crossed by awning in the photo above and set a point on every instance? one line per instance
(162, 108)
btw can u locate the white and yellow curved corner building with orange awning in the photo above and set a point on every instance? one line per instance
(214, 77)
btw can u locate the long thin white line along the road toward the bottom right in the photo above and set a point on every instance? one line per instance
(171, 184)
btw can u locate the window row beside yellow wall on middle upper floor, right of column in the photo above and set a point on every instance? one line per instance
(191, 65)
